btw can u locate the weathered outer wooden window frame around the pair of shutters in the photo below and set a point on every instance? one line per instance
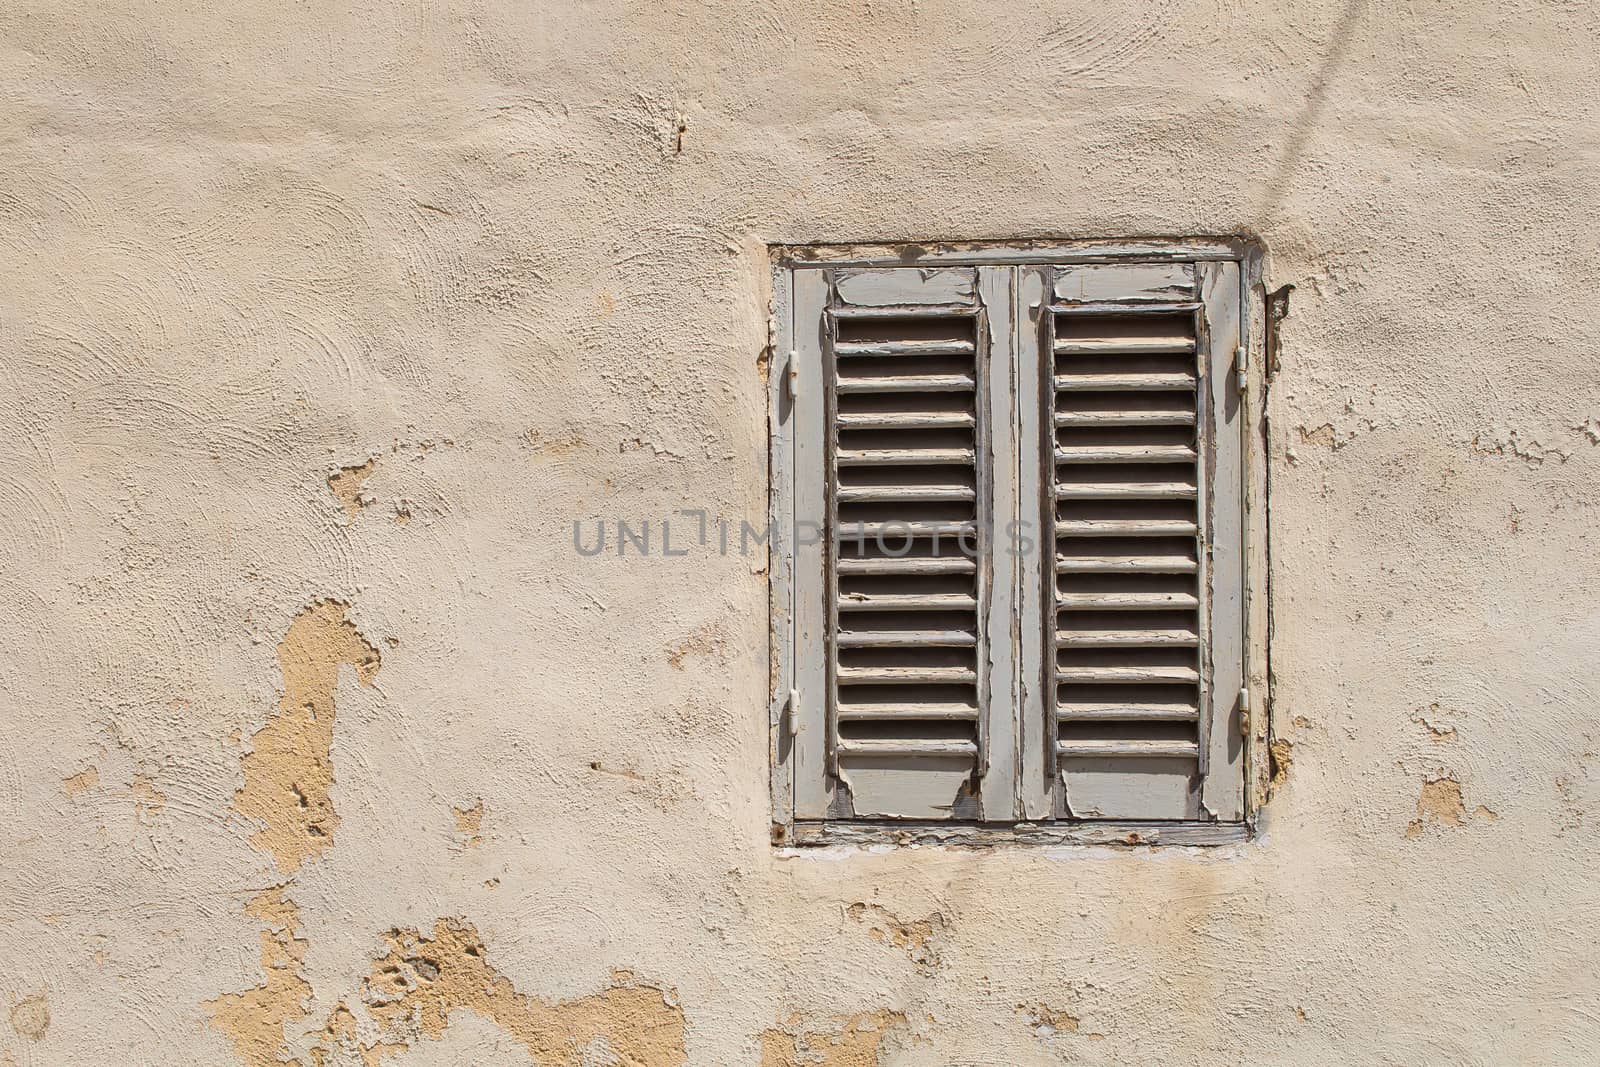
(788, 375)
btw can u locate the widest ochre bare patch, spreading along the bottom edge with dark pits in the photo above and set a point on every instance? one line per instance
(420, 981)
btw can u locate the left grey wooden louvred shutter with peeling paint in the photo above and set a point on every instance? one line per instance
(906, 377)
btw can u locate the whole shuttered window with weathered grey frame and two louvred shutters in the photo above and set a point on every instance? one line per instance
(1010, 541)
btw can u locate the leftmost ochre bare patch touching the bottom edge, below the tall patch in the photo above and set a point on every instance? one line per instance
(254, 1020)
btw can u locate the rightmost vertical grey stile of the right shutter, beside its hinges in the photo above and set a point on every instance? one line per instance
(1225, 420)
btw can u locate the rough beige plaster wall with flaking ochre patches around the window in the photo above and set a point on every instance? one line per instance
(319, 327)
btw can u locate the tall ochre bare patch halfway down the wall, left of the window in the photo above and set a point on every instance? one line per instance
(289, 769)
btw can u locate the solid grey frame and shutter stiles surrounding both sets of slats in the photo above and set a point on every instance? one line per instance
(1015, 287)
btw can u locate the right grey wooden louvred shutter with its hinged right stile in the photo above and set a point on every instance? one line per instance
(1143, 473)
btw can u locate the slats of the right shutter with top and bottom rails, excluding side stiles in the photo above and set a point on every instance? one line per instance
(1126, 484)
